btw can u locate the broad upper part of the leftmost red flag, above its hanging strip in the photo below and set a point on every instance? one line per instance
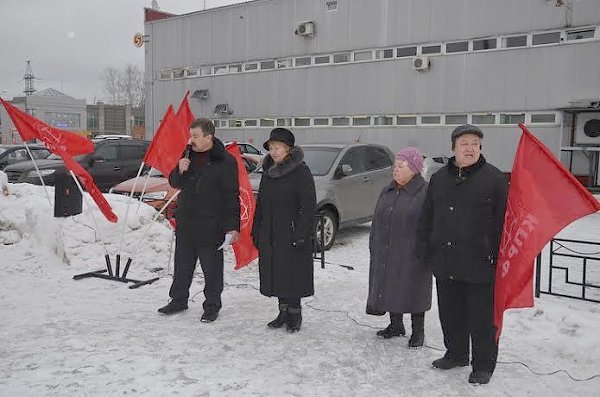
(56, 140)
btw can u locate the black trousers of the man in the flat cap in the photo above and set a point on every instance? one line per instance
(467, 313)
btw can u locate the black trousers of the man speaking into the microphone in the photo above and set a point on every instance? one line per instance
(187, 253)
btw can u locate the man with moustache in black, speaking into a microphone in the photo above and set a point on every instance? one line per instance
(208, 208)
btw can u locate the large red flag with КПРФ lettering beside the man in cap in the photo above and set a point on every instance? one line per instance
(543, 198)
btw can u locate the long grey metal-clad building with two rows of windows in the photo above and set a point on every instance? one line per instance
(402, 72)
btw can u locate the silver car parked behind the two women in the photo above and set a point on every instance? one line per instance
(348, 181)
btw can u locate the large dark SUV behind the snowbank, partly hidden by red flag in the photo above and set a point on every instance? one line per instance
(111, 162)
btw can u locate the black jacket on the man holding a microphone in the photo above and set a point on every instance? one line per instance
(208, 205)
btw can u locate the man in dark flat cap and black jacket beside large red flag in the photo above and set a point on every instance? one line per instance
(459, 236)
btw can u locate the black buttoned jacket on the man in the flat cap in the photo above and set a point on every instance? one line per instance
(461, 222)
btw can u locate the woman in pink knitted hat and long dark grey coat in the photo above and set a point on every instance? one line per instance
(399, 282)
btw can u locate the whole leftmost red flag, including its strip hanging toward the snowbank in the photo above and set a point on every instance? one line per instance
(65, 144)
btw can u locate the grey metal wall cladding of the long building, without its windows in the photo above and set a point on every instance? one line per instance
(520, 79)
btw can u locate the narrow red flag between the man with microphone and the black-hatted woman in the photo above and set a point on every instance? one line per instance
(244, 249)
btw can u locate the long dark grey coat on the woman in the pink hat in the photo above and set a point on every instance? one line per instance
(399, 282)
